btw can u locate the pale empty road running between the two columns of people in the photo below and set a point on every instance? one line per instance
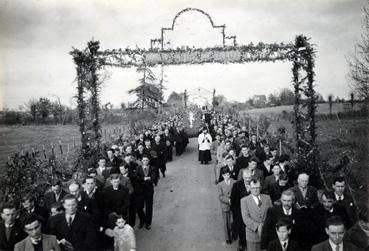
(187, 213)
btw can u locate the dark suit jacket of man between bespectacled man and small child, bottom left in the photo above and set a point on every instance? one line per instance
(81, 232)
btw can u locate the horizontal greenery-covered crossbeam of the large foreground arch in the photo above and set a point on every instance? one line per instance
(235, 54)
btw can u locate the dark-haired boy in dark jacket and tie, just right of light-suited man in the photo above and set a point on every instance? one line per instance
(283, 229)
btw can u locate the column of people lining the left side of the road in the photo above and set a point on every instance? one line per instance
(100, 212)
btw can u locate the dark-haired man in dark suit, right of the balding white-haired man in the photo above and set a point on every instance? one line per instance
(344, 200)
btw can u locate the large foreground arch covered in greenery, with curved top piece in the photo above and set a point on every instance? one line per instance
(300, 53)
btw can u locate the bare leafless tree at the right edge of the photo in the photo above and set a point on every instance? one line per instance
(359, 62)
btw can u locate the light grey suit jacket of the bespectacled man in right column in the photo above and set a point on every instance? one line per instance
(253, 215)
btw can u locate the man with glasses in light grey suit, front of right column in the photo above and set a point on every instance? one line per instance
(254, 208)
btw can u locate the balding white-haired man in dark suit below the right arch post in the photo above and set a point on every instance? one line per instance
(306, 195)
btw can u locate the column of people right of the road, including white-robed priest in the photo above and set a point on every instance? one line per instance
(267, 205)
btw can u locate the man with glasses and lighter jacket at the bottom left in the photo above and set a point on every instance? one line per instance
(36, 240)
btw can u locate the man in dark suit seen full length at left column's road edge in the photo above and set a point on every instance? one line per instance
(145, 192)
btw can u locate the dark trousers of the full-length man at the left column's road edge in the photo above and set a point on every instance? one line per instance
(145, 200)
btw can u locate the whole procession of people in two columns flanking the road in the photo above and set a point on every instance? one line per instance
(265, 203)
